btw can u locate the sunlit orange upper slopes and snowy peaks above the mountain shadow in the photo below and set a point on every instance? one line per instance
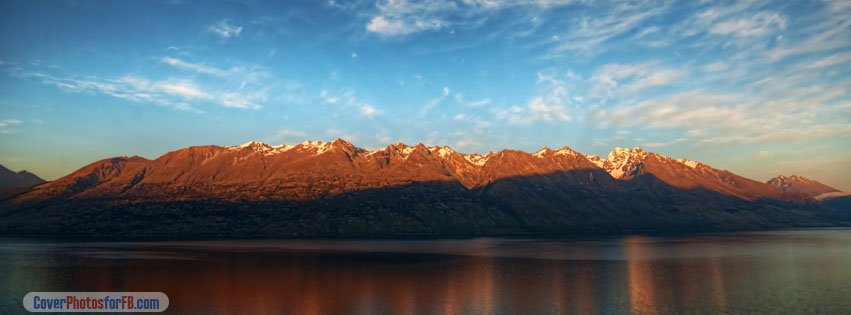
(266, 165)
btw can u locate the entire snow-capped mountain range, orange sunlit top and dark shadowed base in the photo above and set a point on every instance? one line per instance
(335, 188)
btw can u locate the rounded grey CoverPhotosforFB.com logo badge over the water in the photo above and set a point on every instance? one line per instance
(96, 302)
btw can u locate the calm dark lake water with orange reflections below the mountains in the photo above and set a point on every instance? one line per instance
(777, 272)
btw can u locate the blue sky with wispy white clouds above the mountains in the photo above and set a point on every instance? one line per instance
(760, 88)
